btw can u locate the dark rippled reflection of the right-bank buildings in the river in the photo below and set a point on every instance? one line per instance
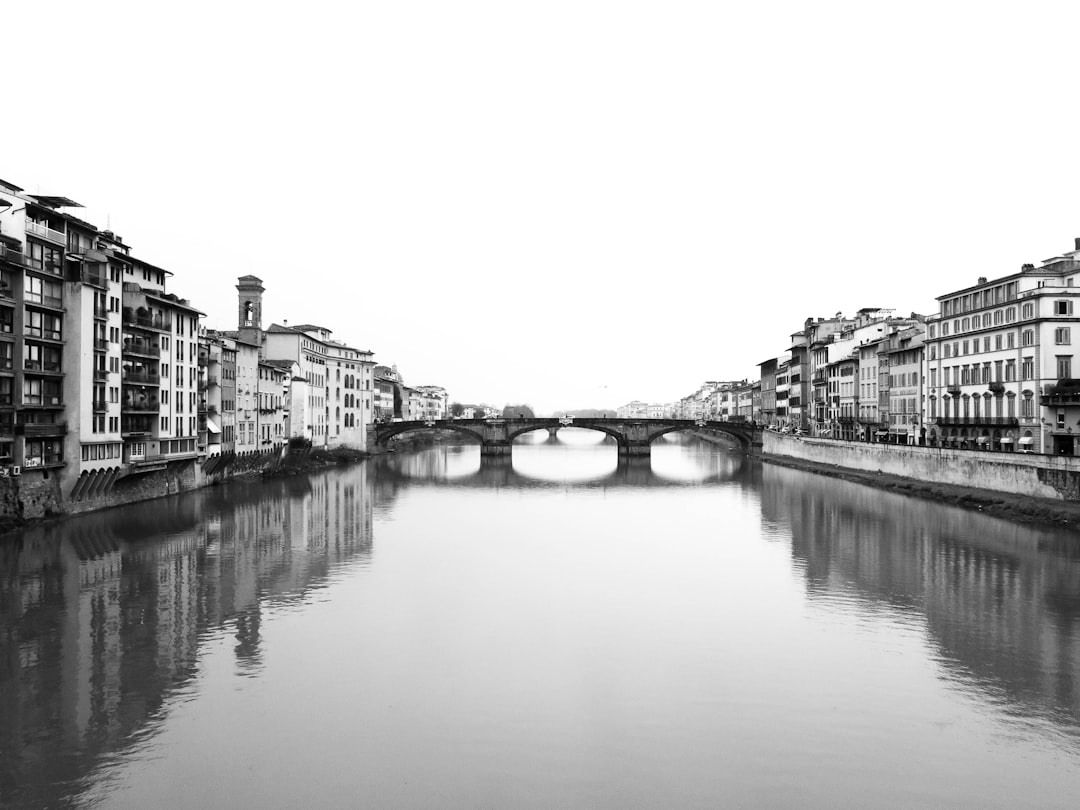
(1001, 601)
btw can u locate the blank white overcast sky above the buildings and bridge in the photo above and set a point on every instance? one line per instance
(566, 205)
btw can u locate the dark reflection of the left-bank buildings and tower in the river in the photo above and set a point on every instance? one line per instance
(103, 616)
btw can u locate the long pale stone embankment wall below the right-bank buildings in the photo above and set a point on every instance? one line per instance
(1033, 476)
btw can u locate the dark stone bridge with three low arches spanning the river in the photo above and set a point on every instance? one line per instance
(634, 437)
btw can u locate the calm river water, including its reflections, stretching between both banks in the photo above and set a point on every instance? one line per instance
(433, 630)
